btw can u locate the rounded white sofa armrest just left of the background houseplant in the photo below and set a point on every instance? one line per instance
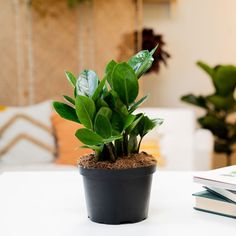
(203, 149)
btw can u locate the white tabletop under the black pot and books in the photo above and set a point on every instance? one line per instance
(51, 203)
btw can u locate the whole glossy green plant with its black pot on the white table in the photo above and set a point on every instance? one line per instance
(117, 177)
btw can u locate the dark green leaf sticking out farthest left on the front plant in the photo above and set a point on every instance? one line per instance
(66, 111)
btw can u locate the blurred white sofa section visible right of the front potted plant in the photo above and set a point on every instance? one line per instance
(182, 145)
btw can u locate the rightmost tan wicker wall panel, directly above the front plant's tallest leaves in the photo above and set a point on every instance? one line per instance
(112, 21)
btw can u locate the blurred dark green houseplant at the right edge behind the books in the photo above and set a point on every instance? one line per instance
(219, 107)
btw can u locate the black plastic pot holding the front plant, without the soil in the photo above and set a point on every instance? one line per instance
(117, 196)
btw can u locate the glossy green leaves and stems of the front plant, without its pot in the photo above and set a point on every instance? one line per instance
(106, 108)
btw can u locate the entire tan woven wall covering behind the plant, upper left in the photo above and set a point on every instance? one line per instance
(40, 41)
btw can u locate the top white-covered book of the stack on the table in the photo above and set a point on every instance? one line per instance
(224, 178)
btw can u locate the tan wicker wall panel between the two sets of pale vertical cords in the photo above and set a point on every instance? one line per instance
(54, 49)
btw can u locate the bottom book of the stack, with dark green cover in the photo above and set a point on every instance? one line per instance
(211, 203)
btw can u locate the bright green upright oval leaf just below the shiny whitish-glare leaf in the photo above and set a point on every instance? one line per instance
(85, 109)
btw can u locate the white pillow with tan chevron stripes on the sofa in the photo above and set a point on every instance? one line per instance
(26, 135)
